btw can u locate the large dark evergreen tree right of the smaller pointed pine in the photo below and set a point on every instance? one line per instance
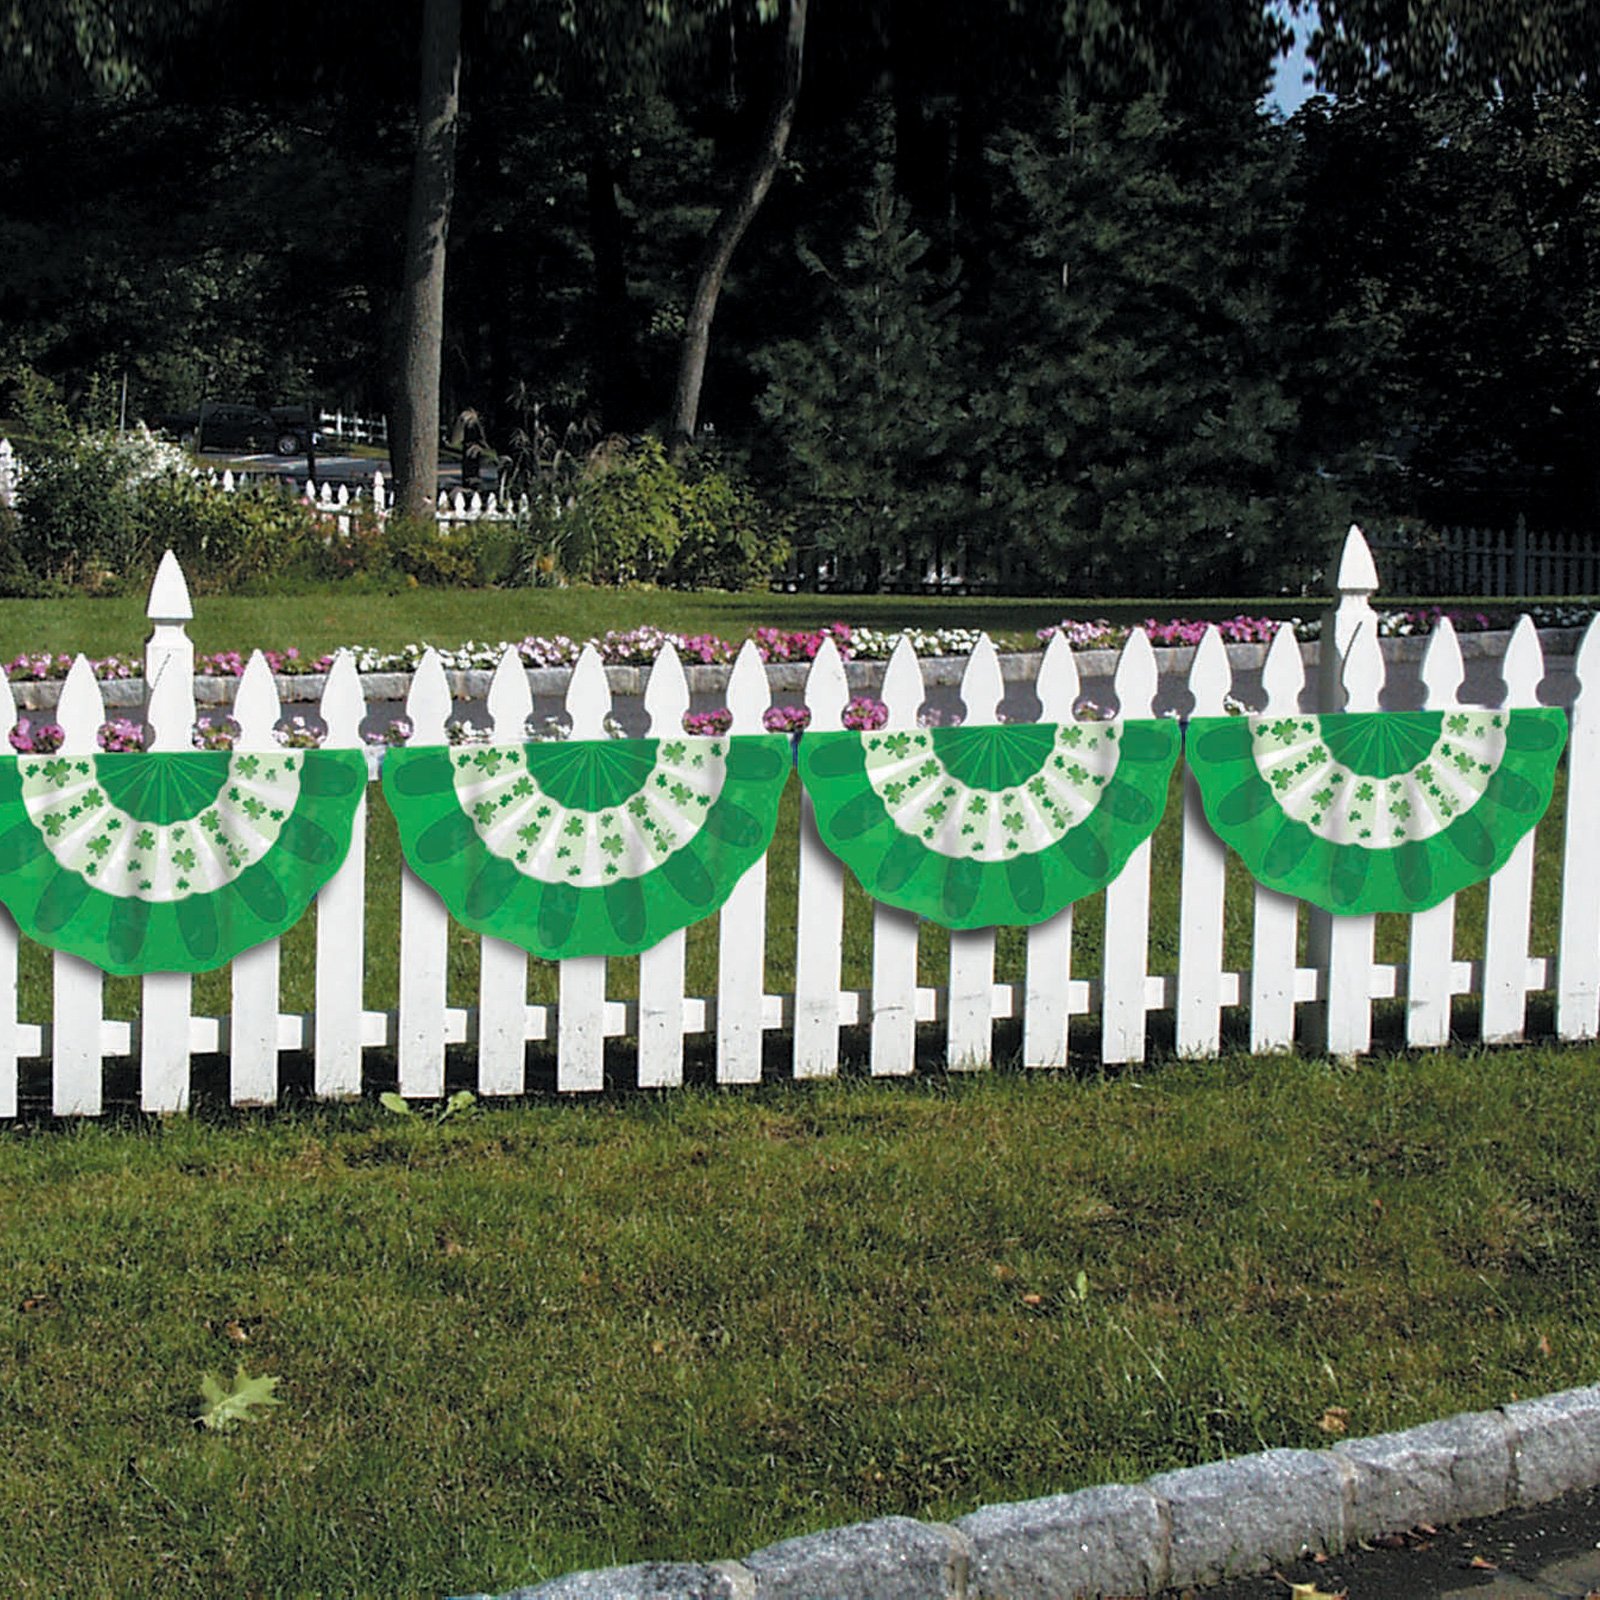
(1137, 431)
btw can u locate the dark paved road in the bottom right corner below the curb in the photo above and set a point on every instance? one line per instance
(1550, 1553)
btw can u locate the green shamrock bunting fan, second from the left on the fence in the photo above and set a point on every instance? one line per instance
(586, 847)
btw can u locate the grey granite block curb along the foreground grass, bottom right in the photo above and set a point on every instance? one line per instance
(1199, 1526)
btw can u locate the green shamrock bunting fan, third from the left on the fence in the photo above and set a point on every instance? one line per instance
(990, 826)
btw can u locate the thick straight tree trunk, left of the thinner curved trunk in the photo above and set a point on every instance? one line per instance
(414, 433)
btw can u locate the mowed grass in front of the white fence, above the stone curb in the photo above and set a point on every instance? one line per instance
(567, 1335)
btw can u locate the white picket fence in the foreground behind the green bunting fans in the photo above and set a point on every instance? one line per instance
(1327, 1002)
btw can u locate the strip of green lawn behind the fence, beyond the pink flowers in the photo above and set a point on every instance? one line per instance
(327, 618)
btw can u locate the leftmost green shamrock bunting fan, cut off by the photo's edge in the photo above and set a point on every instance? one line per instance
(172, 863)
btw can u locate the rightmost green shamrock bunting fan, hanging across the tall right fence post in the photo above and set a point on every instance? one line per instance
(1366, 812)
